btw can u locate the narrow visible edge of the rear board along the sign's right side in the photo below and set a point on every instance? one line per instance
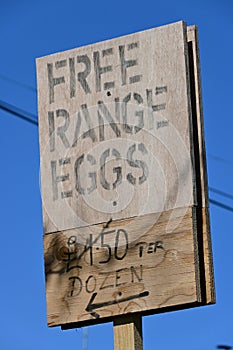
(202, 207)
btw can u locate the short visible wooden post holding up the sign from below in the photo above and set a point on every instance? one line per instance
(128, 332)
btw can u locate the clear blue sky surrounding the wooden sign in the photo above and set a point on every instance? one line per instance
(31, 29)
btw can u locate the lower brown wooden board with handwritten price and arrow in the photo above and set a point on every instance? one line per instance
(129, 266)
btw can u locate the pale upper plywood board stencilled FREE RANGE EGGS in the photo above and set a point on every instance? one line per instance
(114, 129)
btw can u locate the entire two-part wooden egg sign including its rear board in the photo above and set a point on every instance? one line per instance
(123, 178)
